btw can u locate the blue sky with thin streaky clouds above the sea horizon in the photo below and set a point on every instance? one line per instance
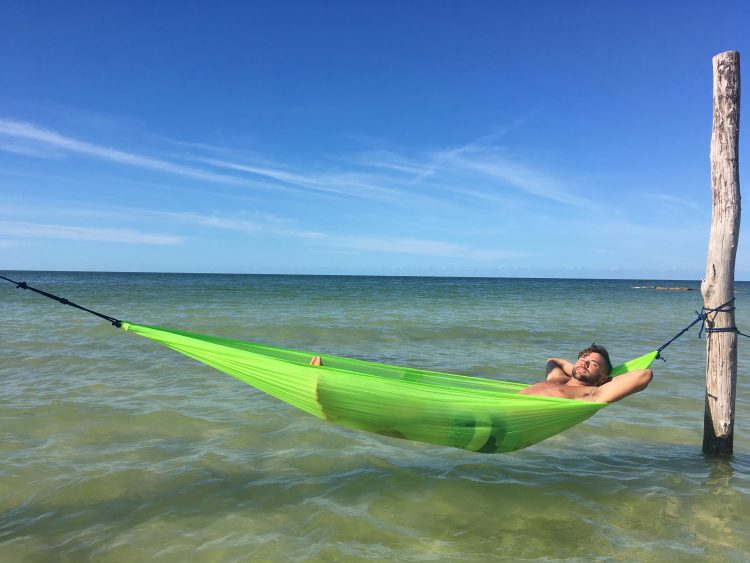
(438, 138)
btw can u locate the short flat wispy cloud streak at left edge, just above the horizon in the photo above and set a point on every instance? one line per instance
(41, 230)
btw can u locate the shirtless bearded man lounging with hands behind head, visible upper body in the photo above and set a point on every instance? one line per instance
(588, 379)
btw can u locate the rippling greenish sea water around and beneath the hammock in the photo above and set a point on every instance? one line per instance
(113, 448)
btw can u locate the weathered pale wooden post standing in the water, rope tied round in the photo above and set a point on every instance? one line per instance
(718, 285)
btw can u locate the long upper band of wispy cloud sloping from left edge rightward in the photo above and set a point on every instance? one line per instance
(480, 171)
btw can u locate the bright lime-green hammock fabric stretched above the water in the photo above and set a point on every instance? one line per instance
(472, 413)
